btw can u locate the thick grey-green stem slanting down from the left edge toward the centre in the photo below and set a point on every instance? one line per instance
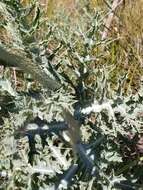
(26, 65)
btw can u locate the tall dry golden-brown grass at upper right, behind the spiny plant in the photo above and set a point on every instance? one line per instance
(126, 53)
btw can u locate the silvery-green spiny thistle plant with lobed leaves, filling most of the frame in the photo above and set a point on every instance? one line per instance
(85, 130)
